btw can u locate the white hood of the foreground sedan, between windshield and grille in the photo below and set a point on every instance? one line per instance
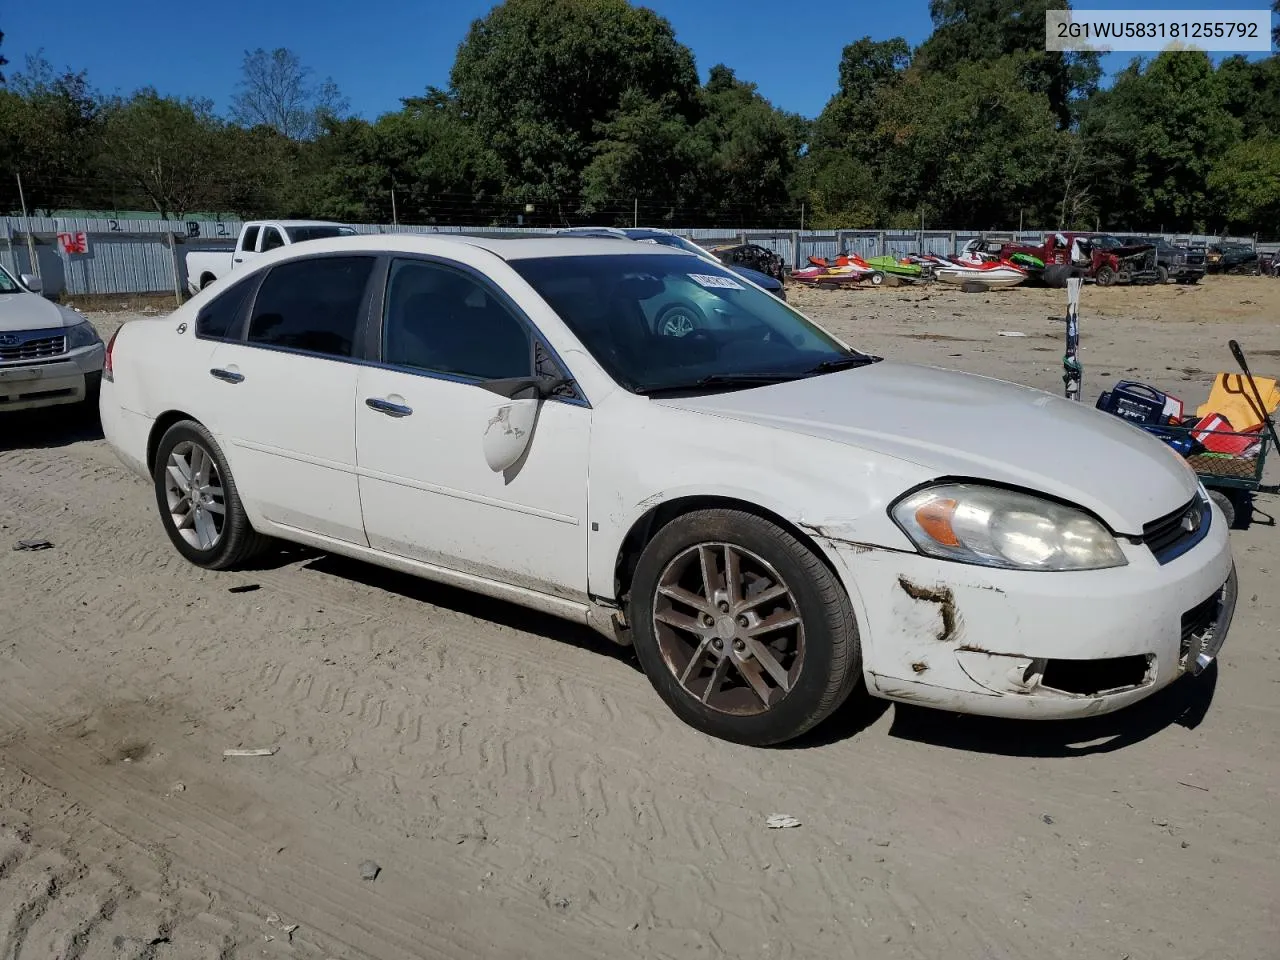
(962, 426)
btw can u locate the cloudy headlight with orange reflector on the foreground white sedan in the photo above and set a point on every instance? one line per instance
(996, 528)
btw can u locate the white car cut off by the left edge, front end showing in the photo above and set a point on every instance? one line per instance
(51, 355)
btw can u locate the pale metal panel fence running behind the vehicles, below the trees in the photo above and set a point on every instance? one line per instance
(149, 257)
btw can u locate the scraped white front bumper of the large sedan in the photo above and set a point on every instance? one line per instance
(1037, 646)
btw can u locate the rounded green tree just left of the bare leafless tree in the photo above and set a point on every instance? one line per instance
(166, 149)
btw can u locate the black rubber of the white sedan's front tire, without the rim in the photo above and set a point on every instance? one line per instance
(831, 661)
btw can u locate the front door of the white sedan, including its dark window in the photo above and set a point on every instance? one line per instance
(427, 491)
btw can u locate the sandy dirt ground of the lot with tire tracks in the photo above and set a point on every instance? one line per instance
(524, 792)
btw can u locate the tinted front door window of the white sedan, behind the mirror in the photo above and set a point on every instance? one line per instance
(444, 321)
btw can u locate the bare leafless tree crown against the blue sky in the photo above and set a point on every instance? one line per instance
(277, 92)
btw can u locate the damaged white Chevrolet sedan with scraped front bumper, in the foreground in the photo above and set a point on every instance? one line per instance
(766, 514)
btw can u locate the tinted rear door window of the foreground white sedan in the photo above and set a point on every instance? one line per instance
(312, 305)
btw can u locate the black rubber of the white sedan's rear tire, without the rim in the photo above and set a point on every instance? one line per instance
(237, 541)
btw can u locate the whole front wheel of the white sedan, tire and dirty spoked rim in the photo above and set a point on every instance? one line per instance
(807, 669)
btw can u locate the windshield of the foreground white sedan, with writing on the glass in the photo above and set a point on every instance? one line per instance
(668, 323)
